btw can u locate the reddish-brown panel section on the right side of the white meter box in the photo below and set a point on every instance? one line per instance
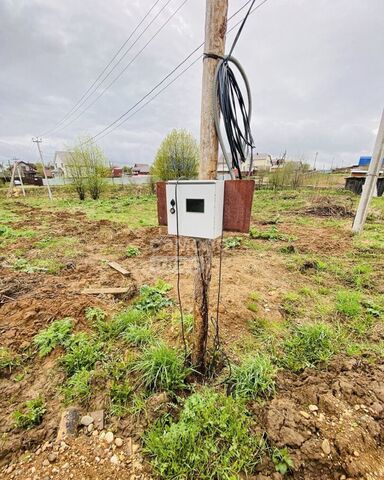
(238, 197)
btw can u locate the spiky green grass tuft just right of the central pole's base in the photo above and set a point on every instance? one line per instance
(254, 377)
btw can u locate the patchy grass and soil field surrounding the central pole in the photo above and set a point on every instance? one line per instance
(301, 298)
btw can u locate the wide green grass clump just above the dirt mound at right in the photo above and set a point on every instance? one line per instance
(308, 346)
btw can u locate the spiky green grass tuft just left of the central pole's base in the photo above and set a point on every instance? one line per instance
(161, 368)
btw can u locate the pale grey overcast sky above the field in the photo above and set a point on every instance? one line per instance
(316, 69)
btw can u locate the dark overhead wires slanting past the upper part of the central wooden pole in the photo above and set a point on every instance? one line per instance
(124, 117)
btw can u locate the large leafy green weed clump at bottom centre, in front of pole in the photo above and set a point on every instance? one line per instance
(212, 439)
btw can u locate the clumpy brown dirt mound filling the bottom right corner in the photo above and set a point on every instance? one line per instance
(331, 422)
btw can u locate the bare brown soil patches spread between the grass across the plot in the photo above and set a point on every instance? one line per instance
(341, 437)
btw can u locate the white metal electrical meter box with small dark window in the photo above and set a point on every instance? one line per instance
(195, 208)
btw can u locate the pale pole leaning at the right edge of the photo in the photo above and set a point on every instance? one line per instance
(370, 180)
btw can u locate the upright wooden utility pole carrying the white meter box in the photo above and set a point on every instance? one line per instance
(215, 32)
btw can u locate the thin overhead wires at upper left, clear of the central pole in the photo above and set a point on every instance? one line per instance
(93, 87)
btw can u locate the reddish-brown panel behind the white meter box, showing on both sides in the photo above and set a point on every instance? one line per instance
(238, 197)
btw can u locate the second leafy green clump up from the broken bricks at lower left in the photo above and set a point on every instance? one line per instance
(82, 353)
